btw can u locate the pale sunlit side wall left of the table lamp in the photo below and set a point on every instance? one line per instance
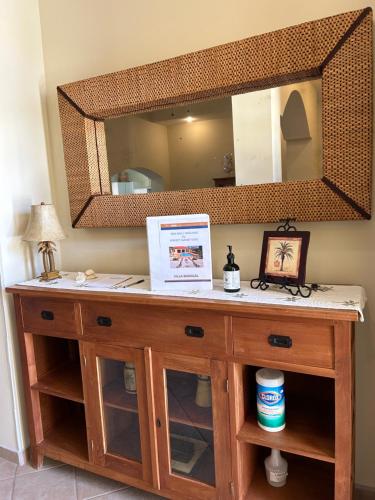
(24, 181)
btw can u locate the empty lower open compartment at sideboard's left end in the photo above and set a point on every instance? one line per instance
(64, 426)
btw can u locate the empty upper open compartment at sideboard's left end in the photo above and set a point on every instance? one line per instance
(58, 367)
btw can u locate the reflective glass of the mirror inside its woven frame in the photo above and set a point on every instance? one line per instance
(272, 135)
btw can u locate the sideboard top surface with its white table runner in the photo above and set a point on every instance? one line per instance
(335, 302)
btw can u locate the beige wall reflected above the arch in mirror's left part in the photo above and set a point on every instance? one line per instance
(134, 142)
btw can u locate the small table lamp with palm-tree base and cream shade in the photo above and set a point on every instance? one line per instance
(45, 228)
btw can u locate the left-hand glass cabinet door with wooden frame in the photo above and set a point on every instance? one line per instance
(120, 407)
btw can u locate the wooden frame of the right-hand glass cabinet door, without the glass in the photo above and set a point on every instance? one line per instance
(217, 370)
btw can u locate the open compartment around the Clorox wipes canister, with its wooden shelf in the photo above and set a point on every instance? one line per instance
(309, 409)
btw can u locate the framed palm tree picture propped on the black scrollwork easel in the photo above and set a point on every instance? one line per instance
(284, 255)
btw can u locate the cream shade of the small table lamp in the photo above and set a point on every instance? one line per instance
(44, 224)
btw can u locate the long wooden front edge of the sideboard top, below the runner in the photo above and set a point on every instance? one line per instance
(227, 306)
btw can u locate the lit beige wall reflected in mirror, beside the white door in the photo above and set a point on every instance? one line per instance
(196, 152)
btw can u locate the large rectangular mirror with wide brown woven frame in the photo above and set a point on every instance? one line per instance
(270, 127)
